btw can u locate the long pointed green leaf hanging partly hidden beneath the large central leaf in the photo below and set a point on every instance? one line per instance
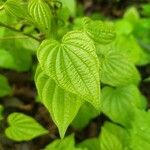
(62, 105)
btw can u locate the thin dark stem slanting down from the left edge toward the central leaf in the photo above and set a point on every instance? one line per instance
(16, 30)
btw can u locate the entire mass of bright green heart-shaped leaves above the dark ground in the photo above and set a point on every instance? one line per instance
(85, 67)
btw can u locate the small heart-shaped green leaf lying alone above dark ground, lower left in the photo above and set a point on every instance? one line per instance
(23, 127)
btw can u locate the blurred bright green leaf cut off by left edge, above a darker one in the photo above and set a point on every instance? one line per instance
(6, 59)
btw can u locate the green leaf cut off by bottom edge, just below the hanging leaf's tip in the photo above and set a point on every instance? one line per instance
(64, 144)
